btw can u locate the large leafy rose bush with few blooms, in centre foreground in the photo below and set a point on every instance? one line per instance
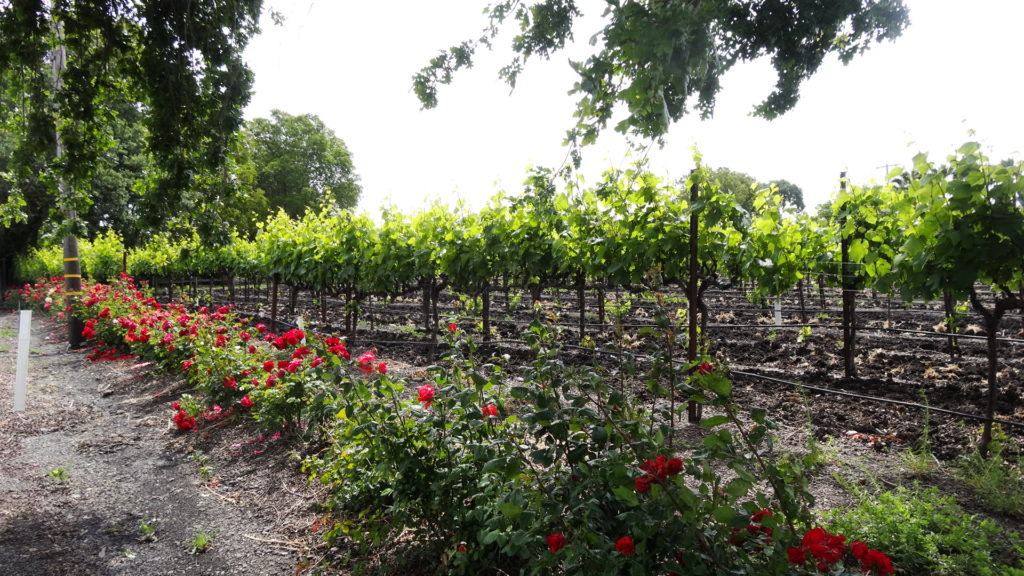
(564, 455)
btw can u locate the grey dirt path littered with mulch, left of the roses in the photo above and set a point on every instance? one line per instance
(94, 465)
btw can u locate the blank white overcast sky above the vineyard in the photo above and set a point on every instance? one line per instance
(957, 68)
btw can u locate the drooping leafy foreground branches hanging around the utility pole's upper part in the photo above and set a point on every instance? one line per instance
(183, 67)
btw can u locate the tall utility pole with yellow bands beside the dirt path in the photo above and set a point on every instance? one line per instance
(72, 267)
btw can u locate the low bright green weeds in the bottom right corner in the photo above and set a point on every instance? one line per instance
(925, 532)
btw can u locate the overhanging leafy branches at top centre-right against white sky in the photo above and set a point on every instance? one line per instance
(656, 57)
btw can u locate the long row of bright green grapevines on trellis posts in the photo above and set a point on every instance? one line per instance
(933, 231)
